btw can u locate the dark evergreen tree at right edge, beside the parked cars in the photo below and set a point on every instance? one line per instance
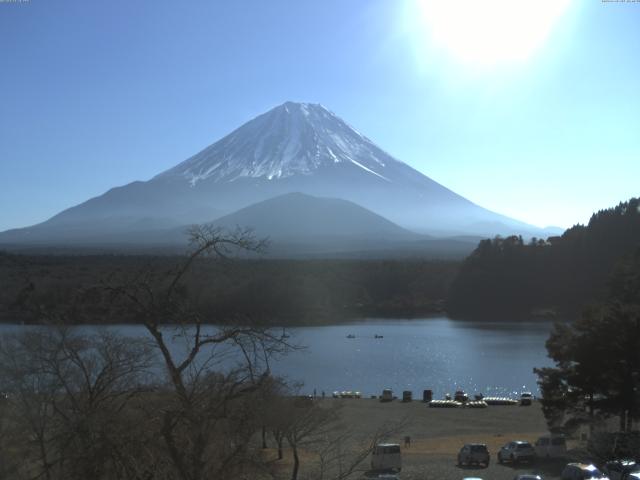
(597, 372)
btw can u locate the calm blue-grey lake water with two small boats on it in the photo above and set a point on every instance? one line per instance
(495, 358)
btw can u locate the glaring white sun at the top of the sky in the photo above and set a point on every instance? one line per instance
(489, 32)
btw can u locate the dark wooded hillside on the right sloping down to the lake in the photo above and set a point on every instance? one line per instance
(511, 278)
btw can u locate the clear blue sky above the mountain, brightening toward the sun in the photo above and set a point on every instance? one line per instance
(99, 94)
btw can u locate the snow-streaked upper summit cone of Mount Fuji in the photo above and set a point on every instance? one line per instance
(291, 139)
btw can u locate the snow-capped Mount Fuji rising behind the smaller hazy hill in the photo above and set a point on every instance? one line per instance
(295, 147)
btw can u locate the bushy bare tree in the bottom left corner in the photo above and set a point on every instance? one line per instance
(68, 394)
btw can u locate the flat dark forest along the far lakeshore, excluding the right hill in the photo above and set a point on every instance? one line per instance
(270, 291)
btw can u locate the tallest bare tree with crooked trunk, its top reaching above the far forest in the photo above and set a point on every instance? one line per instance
(206, 425)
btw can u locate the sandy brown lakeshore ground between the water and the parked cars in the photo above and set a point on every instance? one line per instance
(437, 434)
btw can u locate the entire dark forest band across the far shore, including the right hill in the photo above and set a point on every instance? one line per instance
(503, 278)
